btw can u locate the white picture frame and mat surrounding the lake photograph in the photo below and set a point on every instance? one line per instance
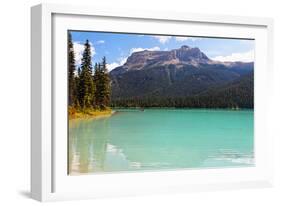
(49, 179)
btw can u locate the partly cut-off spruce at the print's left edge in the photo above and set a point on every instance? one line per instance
(71, 75)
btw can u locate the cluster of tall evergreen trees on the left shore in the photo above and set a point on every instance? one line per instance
(89, 88)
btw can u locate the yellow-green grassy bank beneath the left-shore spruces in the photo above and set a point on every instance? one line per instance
(88, 113)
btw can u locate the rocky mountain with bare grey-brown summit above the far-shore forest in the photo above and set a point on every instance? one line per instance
(179, 73)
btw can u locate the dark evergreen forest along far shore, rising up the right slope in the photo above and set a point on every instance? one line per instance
(234, 95)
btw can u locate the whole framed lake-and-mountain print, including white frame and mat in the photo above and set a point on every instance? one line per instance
(135, 102)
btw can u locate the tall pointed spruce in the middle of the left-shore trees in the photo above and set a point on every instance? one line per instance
(86, 83)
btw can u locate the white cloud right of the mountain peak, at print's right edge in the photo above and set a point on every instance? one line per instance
(243, 57)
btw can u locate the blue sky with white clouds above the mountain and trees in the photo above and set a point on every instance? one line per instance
(117, 47)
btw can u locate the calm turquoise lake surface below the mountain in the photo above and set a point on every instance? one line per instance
(155, 139)
